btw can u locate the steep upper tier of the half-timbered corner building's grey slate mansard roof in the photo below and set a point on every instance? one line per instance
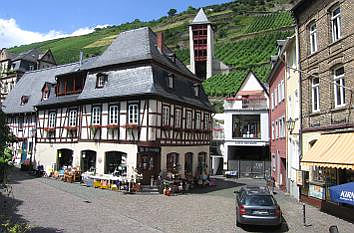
(136, 45)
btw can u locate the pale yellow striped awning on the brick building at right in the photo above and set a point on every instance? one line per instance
(332, 150)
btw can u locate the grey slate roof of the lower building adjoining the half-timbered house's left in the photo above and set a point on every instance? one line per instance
(30, 85)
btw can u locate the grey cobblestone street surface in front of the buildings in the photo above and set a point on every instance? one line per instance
(54, 206)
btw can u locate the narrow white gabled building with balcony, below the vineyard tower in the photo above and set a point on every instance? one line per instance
(247, 129)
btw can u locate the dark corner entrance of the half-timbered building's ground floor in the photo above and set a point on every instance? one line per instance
(148, 164)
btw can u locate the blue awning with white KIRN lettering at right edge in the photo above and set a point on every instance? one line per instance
(343, 193)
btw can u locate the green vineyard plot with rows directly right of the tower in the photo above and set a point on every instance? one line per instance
(249, 52)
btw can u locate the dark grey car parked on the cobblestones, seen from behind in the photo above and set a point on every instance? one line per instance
(257, 206)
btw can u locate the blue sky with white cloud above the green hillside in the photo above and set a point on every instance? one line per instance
(37, 20)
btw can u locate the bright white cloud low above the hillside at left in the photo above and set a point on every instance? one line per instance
(12, 34)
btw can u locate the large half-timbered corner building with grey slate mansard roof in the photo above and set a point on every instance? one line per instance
(135, 106)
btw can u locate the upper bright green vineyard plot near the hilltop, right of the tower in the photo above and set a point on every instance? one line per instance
(271, 21)
